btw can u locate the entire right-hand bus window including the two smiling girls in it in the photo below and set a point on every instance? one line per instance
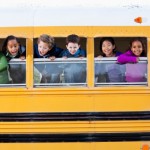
(130, 69)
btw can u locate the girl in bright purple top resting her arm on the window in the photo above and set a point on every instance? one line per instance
(134, 72)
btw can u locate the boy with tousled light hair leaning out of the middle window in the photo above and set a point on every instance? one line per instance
(46, 48)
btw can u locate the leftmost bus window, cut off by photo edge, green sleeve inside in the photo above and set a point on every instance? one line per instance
(13, 69)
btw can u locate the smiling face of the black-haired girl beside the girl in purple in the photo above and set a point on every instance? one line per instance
(107, 48)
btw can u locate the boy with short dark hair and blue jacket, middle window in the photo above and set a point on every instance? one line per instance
(74, 73)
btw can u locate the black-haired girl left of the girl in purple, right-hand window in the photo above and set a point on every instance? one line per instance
(108, 72)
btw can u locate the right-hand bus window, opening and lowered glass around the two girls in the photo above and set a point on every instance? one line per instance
(109, 72)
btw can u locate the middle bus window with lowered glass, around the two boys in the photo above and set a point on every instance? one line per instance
(70, 71)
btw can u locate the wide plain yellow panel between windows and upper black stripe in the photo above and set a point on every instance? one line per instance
(74, 103)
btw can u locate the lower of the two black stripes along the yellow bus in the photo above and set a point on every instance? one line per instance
(80, 137)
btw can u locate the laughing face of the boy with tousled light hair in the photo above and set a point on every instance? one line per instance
(43, 48)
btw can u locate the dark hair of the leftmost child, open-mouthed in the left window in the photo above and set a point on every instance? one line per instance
(9, 38)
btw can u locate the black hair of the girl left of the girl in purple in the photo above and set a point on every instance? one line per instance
(111, 40)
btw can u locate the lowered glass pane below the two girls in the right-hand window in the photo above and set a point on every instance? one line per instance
(108, 72)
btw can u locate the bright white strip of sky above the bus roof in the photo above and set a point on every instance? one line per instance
(66, 3)
